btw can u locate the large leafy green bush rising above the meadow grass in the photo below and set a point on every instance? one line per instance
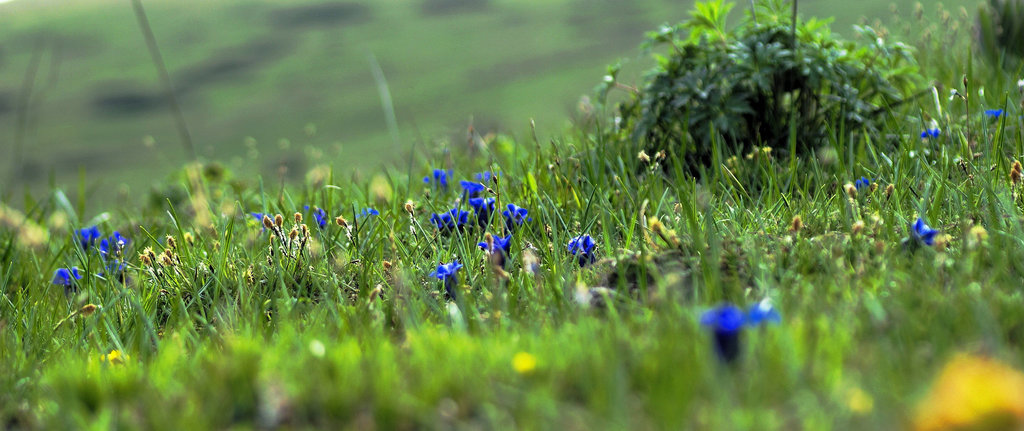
(765, 82)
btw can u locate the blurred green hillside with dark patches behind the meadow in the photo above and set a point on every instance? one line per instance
(266, 84)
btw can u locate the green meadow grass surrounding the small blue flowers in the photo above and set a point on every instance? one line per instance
(350, 330)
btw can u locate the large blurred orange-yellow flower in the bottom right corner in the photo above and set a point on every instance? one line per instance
(974, 394)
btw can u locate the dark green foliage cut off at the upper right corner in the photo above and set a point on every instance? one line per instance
(1001, 31)
